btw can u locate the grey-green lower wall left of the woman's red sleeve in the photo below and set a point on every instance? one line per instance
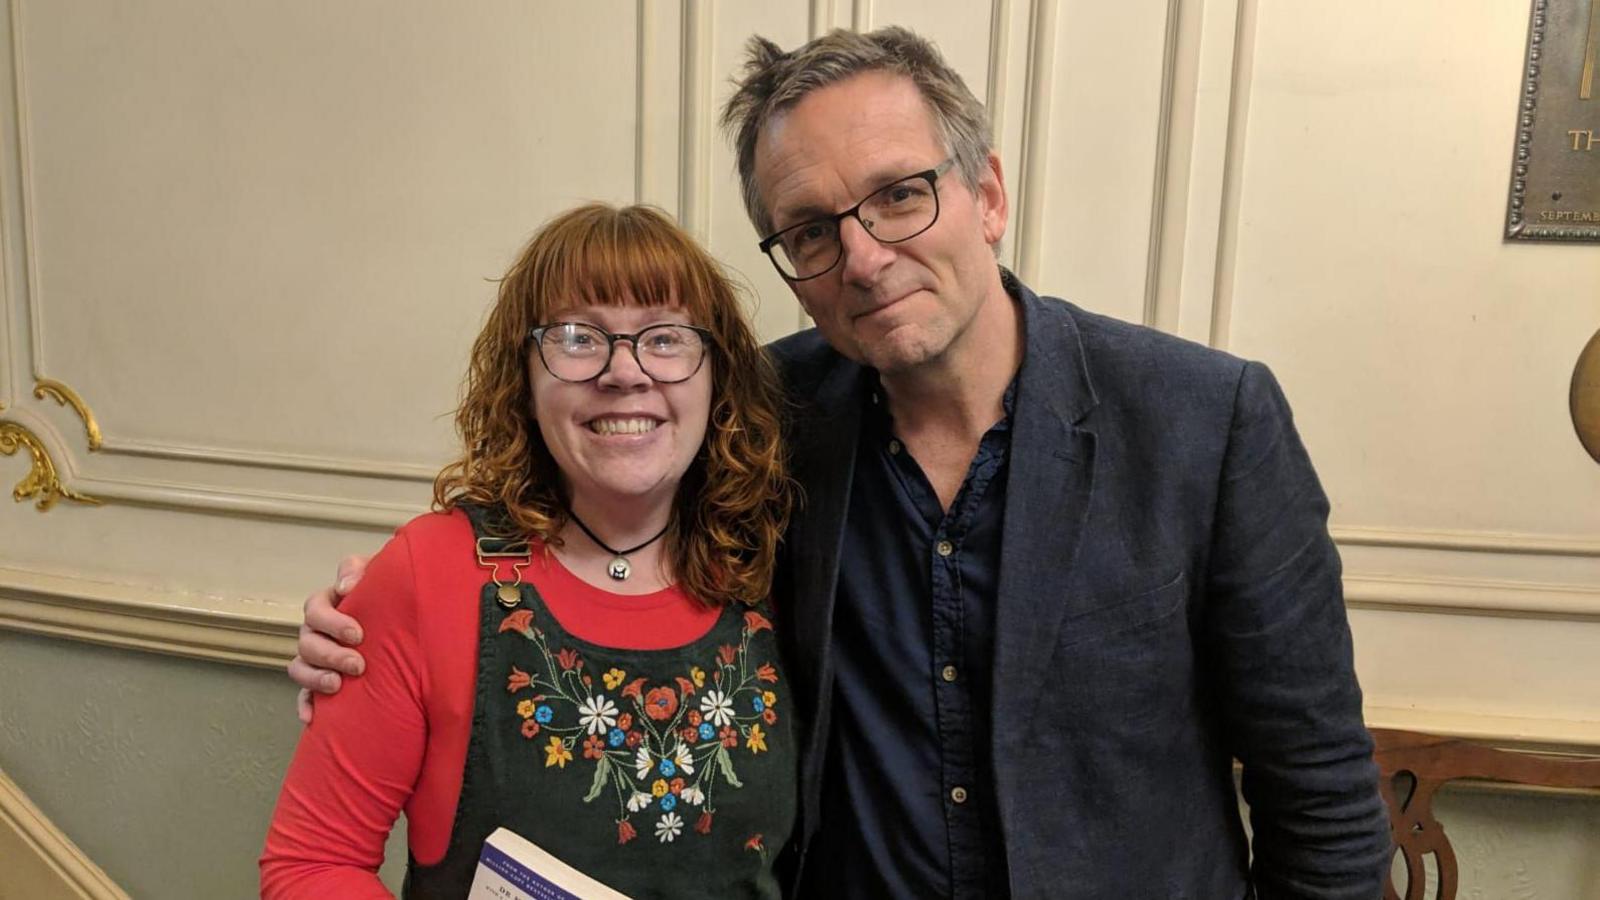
(162, 771)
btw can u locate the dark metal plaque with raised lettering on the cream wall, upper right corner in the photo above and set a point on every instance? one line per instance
(1556, 174)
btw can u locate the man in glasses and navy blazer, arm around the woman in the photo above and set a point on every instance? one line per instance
(1055, 573)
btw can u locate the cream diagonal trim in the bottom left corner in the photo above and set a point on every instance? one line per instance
(39, 859)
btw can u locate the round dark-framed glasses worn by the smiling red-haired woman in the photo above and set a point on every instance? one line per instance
(577, 352)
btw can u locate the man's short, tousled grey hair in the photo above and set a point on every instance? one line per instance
(775, 82)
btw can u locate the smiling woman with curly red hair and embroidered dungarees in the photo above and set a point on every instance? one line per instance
(577, 645)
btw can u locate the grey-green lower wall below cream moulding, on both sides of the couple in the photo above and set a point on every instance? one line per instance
(164, 771)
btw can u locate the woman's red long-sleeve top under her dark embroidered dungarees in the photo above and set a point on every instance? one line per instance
(396, 737)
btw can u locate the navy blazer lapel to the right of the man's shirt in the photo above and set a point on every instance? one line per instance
(1049, 486)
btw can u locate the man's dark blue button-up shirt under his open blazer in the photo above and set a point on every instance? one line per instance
(908, 800)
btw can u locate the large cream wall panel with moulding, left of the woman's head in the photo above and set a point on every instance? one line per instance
(274, 432)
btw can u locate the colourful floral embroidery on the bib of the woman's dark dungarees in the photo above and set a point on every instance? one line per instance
(654, 745)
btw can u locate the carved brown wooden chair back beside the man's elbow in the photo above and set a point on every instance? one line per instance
(1415, 766)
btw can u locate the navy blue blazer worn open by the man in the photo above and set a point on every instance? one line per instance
(1169, 601)
